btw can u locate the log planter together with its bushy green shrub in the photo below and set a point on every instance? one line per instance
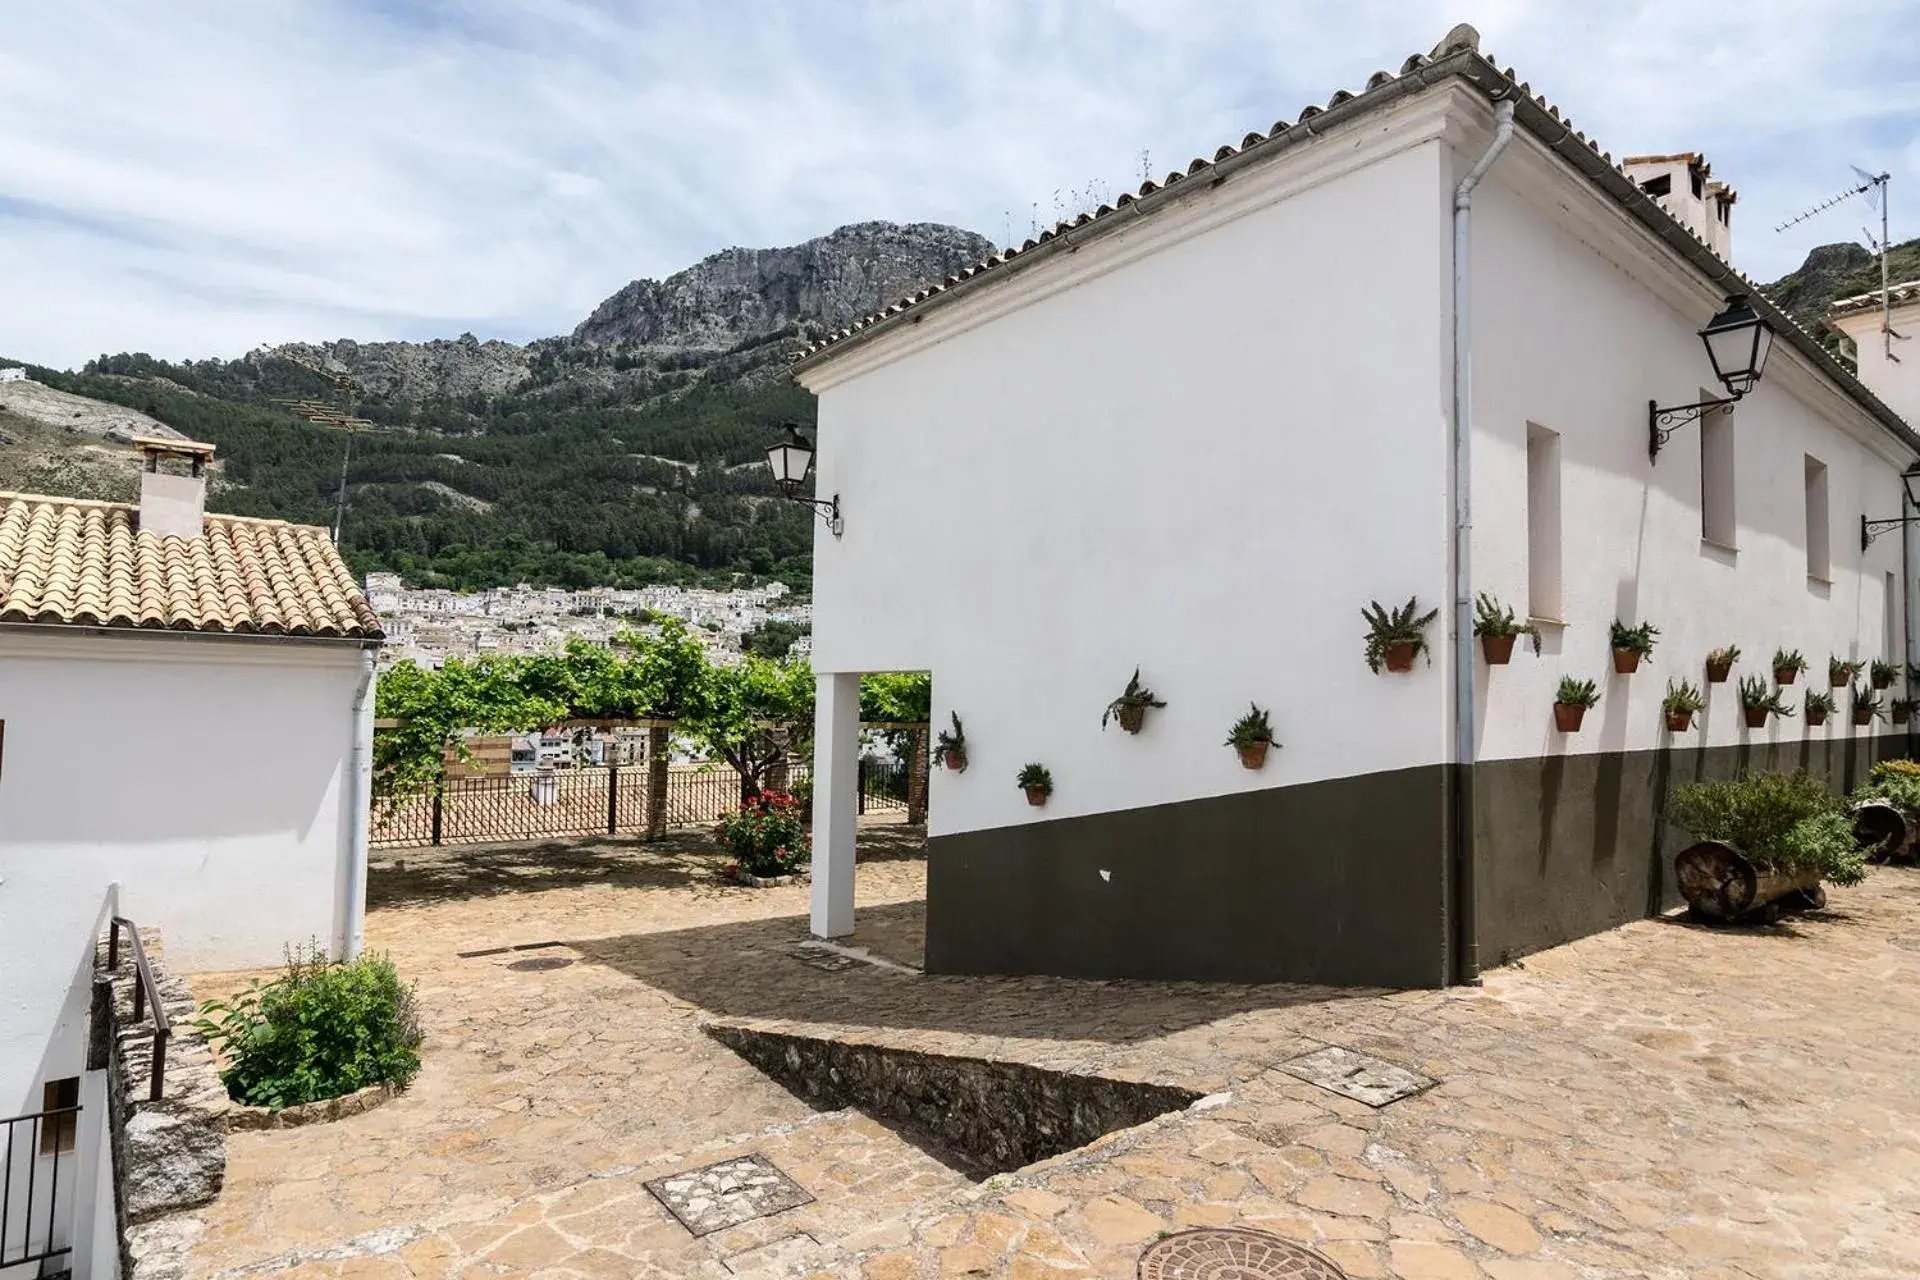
(1764, 840)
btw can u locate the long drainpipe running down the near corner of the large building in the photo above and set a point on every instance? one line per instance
(1466, 916)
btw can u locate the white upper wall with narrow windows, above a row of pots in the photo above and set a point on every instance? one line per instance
(1575, 331)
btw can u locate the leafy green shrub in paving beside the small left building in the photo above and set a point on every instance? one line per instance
(320, 1031)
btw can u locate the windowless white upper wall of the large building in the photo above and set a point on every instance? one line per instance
(1199, 462)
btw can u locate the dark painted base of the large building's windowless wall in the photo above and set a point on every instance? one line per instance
(1337, 882)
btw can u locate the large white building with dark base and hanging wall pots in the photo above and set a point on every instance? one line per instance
(1199, 431)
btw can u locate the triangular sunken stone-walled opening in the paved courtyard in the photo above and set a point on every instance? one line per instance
(974, 1116)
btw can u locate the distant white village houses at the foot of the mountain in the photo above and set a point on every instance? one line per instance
(431, 627)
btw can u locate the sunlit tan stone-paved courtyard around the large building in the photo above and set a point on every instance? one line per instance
(1662, 1101)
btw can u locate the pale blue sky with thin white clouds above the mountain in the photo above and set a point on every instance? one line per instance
(247, 172)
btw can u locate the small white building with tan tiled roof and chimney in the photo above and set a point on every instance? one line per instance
(187, 711)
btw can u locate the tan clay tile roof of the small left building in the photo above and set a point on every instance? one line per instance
(82, 563)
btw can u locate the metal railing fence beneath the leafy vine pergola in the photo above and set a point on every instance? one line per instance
(592, 801)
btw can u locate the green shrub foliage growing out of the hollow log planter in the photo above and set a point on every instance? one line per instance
(1779, 820)
